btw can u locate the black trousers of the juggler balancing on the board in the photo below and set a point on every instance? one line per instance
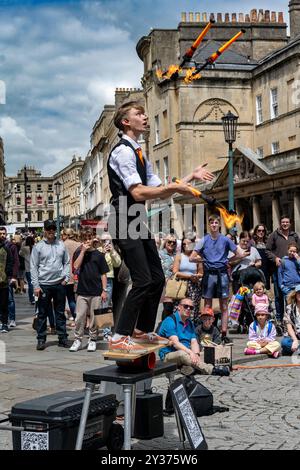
(148, 280)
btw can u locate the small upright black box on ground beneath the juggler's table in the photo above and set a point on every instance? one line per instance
(149, 421)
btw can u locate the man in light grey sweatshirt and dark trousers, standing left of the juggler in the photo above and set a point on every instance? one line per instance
(50, 273)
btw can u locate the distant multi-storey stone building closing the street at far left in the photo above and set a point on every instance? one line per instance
(40, 198)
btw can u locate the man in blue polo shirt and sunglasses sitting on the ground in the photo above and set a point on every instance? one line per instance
(184, 349)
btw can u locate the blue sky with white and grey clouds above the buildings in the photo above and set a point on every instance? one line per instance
(62, 60)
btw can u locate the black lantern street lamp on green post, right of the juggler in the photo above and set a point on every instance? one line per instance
(229, 128)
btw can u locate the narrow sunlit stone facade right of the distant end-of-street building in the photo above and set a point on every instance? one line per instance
(69, 200)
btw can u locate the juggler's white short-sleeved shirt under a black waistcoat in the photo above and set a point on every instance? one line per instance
(123, 162)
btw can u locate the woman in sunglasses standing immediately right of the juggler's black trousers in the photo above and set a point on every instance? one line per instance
(167, 256)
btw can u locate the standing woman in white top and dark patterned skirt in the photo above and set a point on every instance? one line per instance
(191, 272)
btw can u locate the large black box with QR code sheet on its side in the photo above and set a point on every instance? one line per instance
(51, 422)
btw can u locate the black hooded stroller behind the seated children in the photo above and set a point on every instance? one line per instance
(247, 278)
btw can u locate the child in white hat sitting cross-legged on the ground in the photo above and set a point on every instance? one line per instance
(262, 334)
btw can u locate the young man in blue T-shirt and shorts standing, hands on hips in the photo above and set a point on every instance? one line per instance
(213, 251)
